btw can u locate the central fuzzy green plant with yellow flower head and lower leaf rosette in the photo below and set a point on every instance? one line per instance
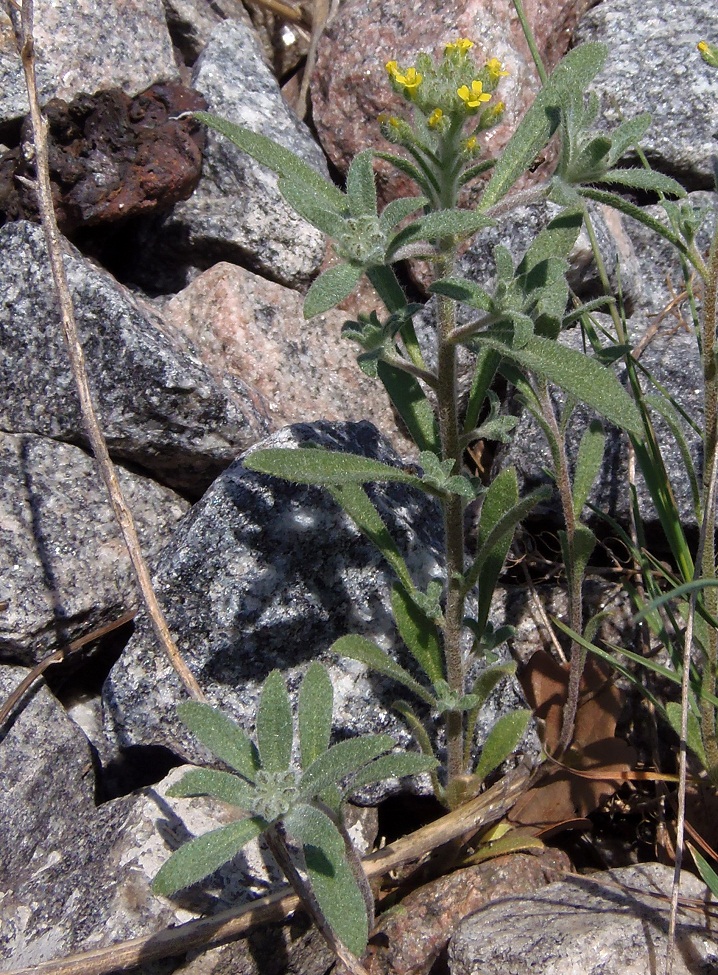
(513, 331)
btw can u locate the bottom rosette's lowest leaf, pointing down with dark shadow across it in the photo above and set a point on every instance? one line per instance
(337, 892)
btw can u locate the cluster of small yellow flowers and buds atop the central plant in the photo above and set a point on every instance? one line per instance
(446, 93)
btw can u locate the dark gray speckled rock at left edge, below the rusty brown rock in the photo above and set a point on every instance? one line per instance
(159, 407)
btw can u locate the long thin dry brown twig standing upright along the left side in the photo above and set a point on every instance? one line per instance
(21, 14)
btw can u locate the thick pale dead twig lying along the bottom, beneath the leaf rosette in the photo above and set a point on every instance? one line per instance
(235, 923)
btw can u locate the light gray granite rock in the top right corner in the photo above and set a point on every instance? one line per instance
(668, 79)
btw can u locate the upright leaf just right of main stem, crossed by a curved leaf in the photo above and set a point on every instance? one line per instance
(502, 495)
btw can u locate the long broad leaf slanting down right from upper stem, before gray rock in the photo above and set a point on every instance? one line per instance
(584, 378)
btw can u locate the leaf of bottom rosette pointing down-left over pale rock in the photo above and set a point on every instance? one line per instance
(203, 855)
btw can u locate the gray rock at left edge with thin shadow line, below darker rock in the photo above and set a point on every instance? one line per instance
(67, 571)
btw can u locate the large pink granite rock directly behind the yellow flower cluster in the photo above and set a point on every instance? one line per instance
(350, 88)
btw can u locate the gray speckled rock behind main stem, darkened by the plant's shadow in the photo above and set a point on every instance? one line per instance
(264, 574)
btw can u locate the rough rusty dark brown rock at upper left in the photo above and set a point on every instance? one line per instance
(111, 157)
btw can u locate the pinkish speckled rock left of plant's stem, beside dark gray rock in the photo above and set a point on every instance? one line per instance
(248, 327)
